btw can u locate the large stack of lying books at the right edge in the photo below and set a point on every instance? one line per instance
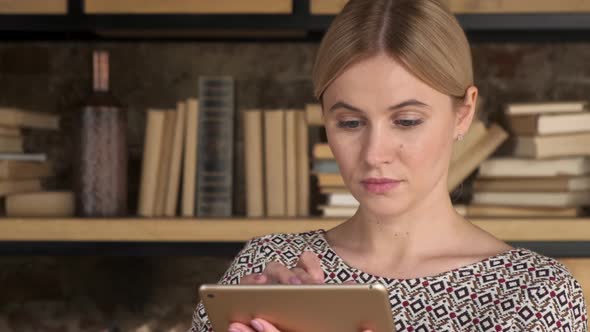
(548, 173)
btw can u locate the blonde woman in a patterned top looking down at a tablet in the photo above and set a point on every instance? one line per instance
(396, 86)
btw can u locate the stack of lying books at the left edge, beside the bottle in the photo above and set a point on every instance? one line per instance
(22, 172)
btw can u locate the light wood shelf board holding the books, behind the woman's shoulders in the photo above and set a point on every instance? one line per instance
(242, 229)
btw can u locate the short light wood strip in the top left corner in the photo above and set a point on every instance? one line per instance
(33, 7)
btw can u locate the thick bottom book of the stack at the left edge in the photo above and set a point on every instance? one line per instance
(56, 204)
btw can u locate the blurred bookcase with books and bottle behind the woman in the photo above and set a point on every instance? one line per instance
(113, 213)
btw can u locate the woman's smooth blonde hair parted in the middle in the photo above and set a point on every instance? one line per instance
(423, 35)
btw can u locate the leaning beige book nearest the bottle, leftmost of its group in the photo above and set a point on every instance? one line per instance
(150, 163)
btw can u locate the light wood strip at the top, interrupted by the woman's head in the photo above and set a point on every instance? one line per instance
(333, 7)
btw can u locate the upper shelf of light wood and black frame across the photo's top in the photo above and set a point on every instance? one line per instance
(528, 20)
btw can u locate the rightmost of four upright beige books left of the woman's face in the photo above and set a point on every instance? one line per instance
(302, 165)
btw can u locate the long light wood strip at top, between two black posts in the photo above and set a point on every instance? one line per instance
(188, 7)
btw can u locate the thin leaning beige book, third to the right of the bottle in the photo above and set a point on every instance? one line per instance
(175, 161)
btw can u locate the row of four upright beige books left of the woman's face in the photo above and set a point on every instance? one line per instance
(277, 163)
